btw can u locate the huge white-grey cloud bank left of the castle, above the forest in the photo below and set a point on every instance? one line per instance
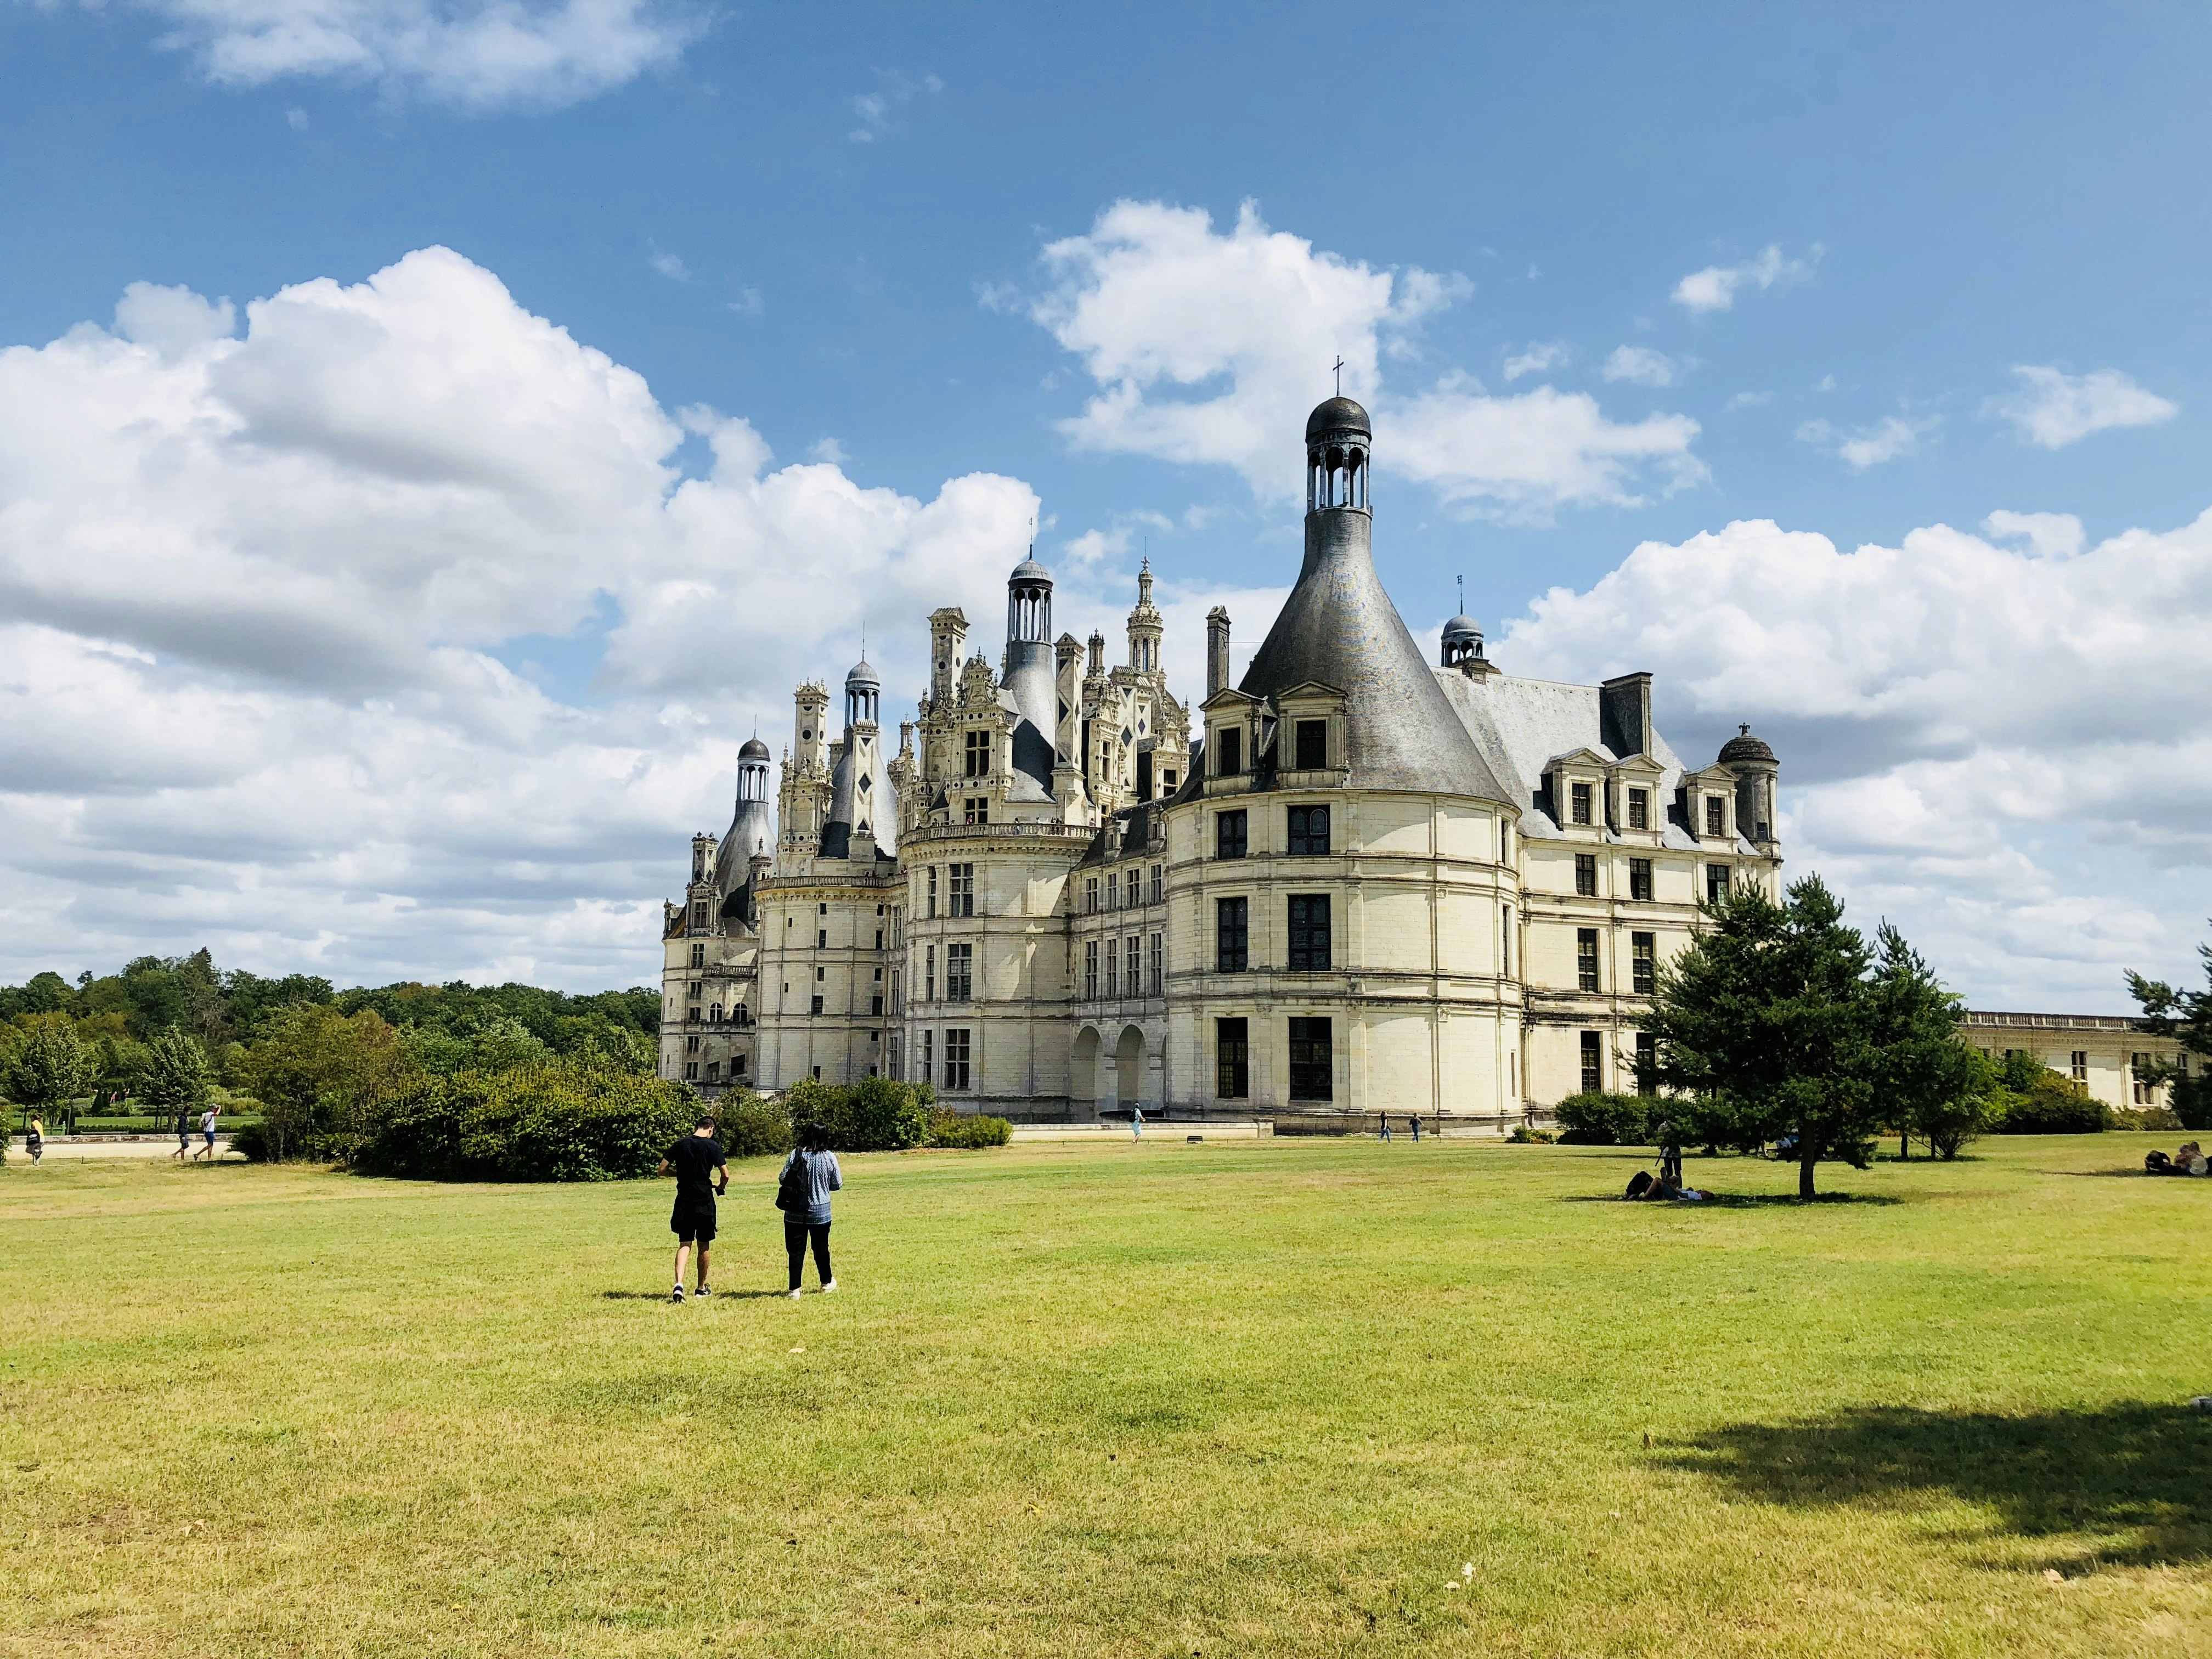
(258, 592)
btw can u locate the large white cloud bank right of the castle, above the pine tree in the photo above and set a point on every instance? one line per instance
(1976, 742)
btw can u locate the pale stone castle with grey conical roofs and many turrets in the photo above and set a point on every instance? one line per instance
(1366, 886)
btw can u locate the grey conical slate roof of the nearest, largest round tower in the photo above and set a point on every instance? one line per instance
(1342, 629)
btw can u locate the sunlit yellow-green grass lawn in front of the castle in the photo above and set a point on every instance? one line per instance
(1231, 1399)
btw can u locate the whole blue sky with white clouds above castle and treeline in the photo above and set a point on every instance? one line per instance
(1607, 275)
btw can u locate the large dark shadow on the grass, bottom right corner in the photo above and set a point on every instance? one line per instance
(2129, 1474)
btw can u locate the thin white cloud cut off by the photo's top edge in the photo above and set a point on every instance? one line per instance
(474, 54)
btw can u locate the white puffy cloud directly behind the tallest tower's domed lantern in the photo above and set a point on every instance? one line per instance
(1211, 348)
